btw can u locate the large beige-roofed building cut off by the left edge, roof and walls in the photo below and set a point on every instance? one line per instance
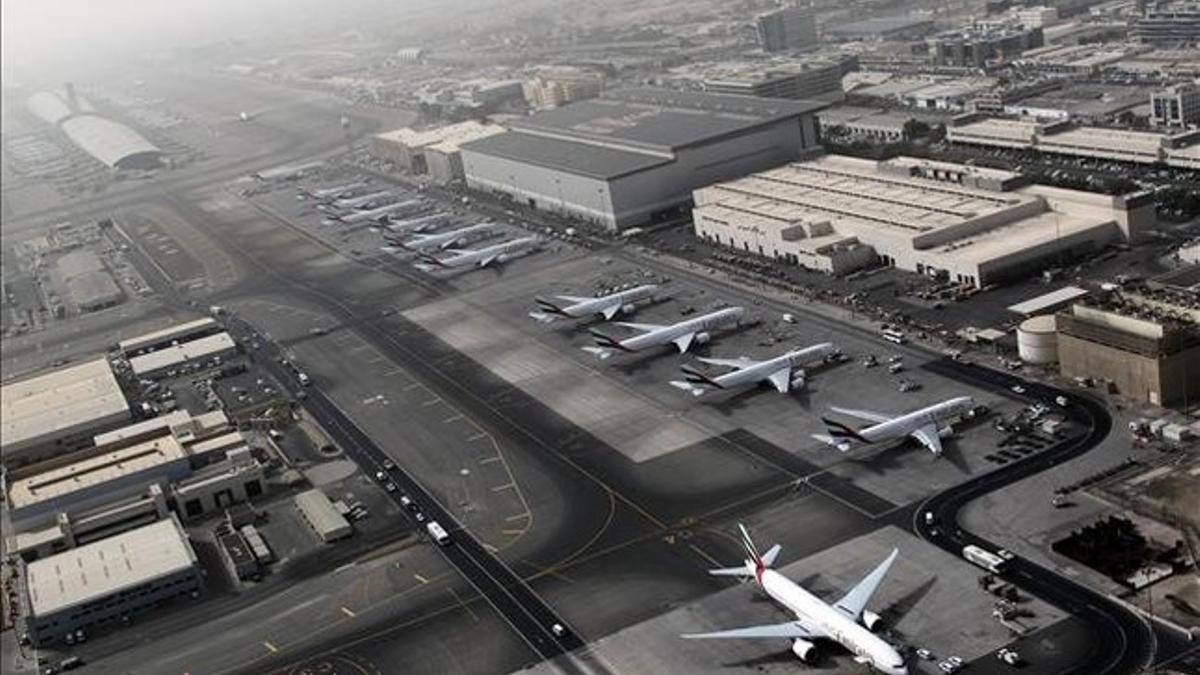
(59, 413)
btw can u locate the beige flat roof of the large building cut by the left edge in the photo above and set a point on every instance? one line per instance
(59, 403)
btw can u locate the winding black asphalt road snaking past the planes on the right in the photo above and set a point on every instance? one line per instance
(1123, 643)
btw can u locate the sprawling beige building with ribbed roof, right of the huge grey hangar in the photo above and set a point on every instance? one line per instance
(963, 224)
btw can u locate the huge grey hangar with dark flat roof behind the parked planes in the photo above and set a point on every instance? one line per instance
(634, 157)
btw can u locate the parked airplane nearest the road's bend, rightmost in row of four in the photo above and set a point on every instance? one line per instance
(922, 425)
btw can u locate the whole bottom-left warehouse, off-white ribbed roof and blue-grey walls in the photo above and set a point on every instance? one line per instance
(111, 581)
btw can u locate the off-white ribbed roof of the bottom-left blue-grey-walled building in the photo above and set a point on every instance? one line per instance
(109, 566)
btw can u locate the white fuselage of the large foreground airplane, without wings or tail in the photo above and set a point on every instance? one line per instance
(820, 618)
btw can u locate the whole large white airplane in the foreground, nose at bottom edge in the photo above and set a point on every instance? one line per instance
(847, 622)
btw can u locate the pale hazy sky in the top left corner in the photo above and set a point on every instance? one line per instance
(61, 33)
